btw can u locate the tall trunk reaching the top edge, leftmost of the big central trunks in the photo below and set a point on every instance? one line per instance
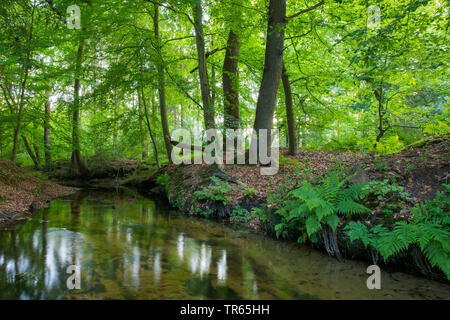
(208, 110)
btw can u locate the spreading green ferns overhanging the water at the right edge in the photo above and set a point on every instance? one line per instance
(428, 229)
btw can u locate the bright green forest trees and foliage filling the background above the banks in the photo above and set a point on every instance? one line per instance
(329, 75)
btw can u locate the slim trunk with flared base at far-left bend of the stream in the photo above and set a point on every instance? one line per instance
(78, 165)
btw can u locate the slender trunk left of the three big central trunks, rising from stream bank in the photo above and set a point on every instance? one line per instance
(162, 87)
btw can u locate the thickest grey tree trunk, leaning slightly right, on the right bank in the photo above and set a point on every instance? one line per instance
(273, 66)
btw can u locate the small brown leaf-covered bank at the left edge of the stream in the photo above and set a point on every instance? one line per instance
(24, 191)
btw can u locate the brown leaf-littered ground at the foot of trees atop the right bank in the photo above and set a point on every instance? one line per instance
(421, 170)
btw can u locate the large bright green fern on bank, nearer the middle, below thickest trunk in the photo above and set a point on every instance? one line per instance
(312, 207)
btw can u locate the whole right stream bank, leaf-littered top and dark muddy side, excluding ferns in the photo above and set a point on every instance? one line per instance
(421, 170)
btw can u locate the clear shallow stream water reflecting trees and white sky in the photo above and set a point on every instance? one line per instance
(130, 247)
